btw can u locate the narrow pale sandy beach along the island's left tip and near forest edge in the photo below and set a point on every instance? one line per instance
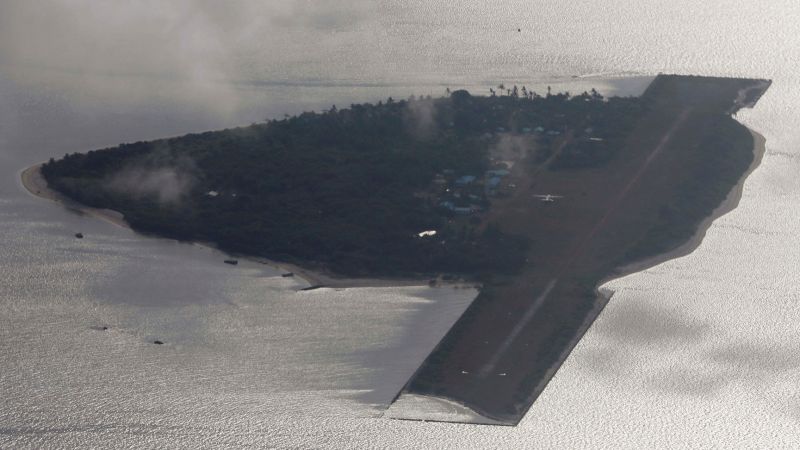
(33, 181)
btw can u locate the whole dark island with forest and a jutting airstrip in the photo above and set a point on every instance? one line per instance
(537, 198)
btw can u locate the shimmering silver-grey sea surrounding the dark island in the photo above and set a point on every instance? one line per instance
(701, 351)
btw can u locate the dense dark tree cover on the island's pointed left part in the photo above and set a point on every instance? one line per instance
(346, 189)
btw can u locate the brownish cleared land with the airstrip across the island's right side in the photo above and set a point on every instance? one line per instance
(684, 155)
